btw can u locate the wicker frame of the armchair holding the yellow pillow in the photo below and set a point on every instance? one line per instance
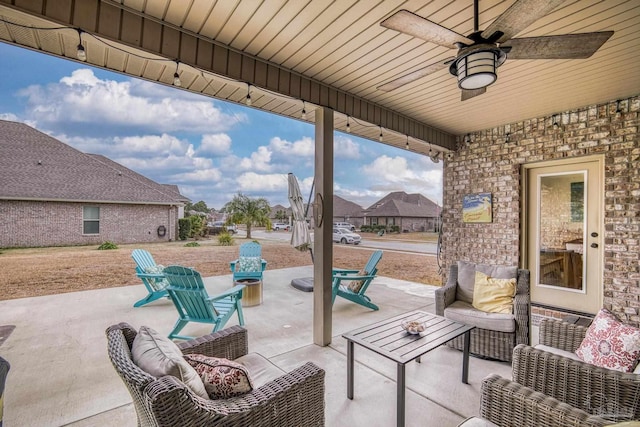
(485, 342)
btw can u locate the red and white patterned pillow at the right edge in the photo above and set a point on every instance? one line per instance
(610, 343)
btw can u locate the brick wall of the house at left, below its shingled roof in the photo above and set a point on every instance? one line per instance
(32, 224)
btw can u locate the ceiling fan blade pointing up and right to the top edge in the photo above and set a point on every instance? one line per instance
(519, 16)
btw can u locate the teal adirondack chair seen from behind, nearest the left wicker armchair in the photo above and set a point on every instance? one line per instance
(194, 304)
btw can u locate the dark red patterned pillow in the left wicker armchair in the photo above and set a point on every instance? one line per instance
(222, 378)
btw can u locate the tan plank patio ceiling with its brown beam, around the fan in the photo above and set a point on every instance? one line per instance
(336, 53)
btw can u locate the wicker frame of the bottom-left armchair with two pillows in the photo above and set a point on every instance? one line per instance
(294, 399)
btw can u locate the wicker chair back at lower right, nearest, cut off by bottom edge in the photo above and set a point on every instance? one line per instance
(507, 403)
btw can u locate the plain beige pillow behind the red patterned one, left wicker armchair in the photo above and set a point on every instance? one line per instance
(159, 356)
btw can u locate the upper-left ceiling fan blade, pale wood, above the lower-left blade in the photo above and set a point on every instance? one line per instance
(409, 23)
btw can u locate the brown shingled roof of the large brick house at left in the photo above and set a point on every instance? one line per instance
(35, 166)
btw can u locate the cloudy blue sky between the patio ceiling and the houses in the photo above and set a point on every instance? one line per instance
(211, 149)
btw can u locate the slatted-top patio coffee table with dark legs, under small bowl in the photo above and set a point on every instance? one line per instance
(390, 340)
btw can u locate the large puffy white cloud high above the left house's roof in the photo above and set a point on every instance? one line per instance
(84, 98)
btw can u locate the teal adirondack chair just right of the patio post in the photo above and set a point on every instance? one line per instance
(356, 282)
